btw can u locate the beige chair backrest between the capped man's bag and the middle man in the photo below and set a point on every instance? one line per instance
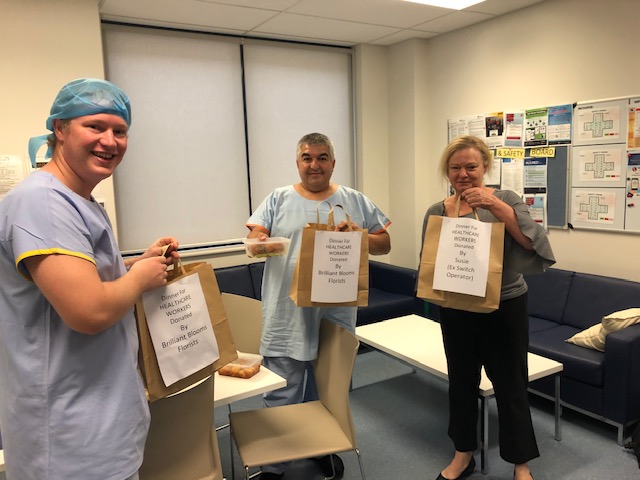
(245, 319)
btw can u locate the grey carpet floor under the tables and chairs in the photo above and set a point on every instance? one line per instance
(401, 421)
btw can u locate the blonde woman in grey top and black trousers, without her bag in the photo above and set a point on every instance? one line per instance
(498, 340)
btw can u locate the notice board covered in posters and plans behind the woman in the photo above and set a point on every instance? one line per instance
(576, 165)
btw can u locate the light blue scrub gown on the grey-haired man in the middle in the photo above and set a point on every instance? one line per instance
(288, 330)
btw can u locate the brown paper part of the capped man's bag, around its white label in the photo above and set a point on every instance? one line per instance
(147, 360)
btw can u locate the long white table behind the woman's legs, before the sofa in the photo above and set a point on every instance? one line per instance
(418, 341)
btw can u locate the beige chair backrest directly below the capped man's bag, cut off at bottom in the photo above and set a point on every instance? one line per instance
(182, 441)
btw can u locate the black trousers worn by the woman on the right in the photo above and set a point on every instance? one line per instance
(499, 341)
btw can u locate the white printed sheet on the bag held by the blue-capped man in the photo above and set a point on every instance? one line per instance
(180, 328)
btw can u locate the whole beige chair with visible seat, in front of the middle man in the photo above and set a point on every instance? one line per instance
(313, 429)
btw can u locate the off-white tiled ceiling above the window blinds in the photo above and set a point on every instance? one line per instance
(335, 22)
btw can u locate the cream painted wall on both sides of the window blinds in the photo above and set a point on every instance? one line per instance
(553, 52)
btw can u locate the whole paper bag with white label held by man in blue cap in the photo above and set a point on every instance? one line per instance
(183, 330)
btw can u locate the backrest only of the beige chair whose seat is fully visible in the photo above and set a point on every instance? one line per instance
(337, 349)
